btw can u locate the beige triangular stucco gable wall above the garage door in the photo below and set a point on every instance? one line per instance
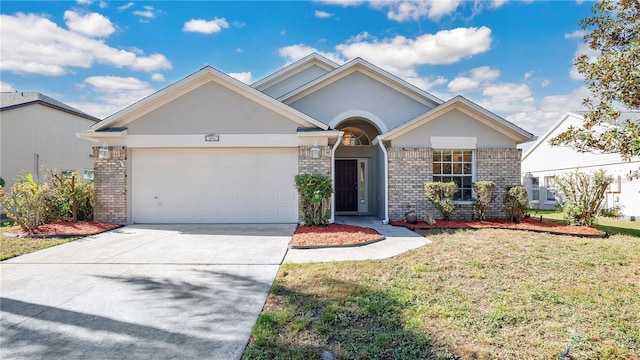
(212, 108)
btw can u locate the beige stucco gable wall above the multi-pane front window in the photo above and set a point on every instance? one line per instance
(457, 124)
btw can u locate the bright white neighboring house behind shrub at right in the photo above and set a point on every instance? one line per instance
(542, 164)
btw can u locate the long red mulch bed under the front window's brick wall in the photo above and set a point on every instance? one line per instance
(526, 224)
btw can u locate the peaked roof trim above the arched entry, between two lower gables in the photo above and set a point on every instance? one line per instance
(363, 66)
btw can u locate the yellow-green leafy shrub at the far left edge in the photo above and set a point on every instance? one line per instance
(26, 203)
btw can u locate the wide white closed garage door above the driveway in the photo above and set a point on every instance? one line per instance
(214, 186)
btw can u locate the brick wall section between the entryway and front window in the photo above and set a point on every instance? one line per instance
(409, 169)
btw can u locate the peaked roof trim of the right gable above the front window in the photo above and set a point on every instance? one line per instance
(460, 102)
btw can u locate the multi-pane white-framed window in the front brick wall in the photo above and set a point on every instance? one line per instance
(456, 166)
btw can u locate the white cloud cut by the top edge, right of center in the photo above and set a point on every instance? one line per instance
(401, 11)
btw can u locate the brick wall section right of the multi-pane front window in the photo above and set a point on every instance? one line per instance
(501, 166)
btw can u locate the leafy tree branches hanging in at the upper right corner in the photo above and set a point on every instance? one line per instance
(613, 78)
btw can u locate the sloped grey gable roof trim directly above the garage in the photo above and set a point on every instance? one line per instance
(205, 75)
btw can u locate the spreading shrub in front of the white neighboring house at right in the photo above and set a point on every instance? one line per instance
(583, 195)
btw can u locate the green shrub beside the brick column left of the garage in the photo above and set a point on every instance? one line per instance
(70, 199)
